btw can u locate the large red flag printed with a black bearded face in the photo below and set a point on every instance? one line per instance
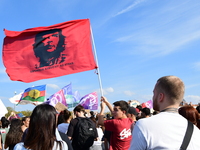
(47, 52)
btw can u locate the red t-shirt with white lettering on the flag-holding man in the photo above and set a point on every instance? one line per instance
(121, 133)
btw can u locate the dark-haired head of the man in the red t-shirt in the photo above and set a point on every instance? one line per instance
(120, 109)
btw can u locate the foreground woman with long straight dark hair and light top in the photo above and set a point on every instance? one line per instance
(41, 133)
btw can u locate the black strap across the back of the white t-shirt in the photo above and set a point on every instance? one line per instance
(187, 137)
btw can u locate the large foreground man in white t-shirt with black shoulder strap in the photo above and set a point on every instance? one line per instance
(165, 130)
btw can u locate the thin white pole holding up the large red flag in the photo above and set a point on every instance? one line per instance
(98, 71)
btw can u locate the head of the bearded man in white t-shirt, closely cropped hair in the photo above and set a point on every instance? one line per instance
(168, 91)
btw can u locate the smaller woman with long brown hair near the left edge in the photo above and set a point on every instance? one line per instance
(14, 134)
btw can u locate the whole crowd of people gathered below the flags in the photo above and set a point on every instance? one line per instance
(123, 128)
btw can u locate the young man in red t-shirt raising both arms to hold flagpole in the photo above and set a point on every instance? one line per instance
(120, 126)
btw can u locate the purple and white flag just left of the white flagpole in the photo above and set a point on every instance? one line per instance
(90, 101)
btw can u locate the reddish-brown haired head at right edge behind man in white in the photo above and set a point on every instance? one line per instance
(190, 113)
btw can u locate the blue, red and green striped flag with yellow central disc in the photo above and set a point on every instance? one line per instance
(33, 95)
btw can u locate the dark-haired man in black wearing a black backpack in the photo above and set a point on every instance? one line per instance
(72, 133)
